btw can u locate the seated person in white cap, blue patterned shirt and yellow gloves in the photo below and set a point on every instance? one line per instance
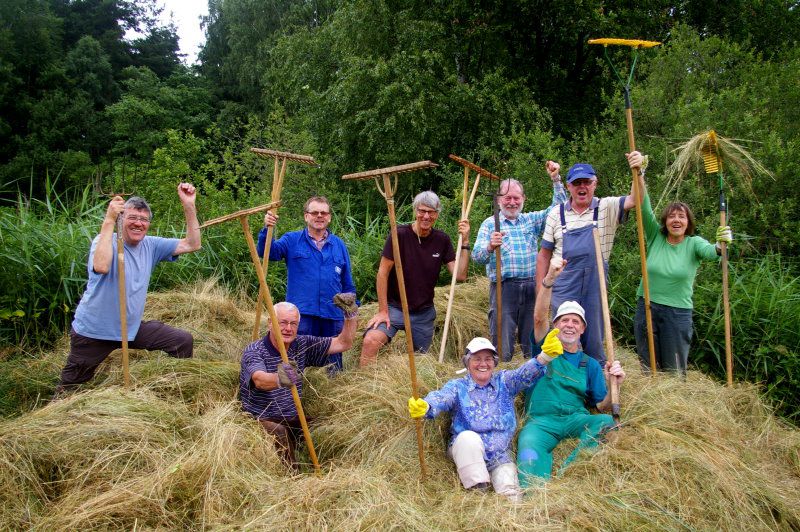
(484, 420)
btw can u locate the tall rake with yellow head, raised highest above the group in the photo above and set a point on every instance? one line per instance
(635, 45)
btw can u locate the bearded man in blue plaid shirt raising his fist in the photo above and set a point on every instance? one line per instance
(518, 240)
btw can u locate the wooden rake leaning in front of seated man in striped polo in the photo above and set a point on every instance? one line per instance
(273, 318)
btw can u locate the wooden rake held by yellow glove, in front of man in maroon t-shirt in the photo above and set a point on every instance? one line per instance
(387, 190)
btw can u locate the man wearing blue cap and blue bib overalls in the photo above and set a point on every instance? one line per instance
(568, 235)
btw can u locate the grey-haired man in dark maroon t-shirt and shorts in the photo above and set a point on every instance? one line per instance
(423, 252)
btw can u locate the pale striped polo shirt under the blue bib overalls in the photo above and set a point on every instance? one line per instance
(609, 217)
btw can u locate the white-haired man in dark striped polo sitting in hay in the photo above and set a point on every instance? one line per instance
(265, 381)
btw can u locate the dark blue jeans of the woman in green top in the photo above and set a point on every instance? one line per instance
(672, 336)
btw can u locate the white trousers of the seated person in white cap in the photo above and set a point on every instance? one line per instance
(467, 452)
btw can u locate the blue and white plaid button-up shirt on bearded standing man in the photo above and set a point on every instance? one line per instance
(520, 243)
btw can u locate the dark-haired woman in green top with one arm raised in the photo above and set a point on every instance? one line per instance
(673, 254)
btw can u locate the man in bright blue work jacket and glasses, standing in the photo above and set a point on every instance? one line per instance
(317, 267)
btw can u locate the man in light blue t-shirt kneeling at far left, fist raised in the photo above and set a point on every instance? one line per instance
(96, 329)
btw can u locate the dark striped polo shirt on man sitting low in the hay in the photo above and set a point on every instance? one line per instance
(261, 355)
